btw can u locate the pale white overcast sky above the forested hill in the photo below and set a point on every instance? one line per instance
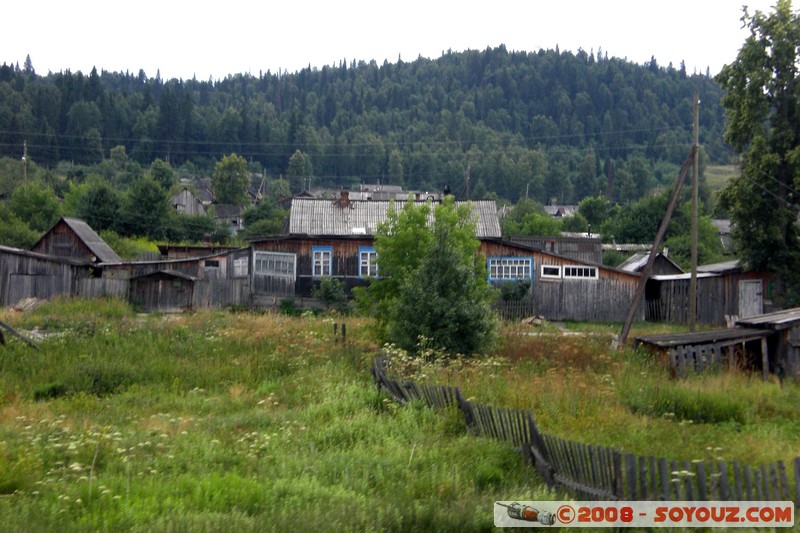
(205, 39)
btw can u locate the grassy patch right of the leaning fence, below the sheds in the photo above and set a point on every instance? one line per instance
(580, 389)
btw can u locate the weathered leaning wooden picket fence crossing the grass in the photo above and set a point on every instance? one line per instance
(599, 472)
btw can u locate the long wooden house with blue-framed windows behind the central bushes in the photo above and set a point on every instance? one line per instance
(336, 238)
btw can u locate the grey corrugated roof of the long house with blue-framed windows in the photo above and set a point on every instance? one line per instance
(326, 217)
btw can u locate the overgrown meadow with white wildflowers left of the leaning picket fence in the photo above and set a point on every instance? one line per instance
(217, 421)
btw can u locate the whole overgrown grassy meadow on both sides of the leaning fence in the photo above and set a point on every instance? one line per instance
(221, 421)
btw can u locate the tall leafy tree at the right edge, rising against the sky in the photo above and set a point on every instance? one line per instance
(762, 106)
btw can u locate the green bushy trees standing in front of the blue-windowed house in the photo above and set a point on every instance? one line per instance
(432, 285)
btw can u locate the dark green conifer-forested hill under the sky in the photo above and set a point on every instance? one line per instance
(554, 124)
